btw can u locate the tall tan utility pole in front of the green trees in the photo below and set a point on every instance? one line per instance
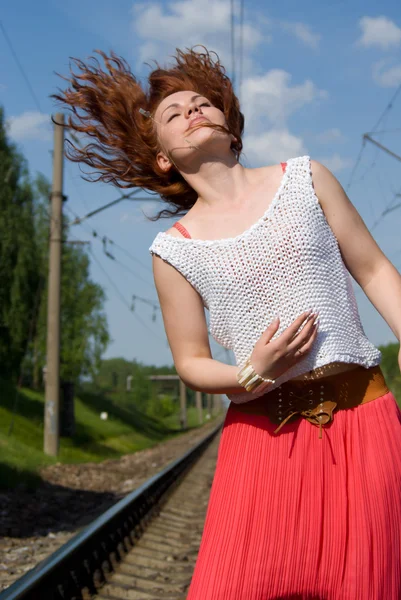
(52, 390)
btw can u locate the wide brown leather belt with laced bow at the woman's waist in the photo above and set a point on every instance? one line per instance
(315, 400)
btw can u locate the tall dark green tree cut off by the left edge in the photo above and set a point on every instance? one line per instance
(19, 273)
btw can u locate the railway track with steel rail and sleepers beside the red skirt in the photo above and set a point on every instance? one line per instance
(144, 547)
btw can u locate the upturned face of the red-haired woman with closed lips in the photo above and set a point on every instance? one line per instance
(176, 119)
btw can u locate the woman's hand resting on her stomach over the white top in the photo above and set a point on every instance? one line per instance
(272, 359)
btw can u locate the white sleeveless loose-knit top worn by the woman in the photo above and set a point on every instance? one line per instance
(287, 262)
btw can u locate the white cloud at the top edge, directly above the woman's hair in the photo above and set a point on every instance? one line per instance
(186, 23)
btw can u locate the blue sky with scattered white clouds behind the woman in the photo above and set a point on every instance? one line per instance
(316, 76)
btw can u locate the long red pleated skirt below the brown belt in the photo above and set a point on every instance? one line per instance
(292, 516)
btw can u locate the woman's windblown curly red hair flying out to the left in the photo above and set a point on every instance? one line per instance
(104, 105)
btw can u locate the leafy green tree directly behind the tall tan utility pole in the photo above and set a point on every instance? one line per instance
(84, 331)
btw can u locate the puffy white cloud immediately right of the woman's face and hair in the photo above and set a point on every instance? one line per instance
(271, 98)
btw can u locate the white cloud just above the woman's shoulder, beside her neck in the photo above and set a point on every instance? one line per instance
(274, 146)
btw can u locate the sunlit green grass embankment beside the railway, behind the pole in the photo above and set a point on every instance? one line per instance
(125, 431)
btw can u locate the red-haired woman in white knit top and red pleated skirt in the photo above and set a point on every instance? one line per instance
(306, 498)
